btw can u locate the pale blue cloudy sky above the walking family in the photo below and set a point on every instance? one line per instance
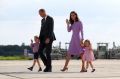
(19, 19)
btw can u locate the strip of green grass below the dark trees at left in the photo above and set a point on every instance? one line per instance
(14, 58)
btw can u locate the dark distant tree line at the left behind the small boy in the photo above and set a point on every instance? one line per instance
(13, 50)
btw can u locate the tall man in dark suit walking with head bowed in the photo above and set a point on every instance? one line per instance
(46, 37)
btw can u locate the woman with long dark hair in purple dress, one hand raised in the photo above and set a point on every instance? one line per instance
(74, 25)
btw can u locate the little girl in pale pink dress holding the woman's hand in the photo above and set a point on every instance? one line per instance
(88, 55)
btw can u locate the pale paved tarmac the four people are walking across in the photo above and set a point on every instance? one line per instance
(105, 69)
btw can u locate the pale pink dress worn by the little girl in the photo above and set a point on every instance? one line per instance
(88, 54)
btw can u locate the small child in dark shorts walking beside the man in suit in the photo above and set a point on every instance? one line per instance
(35, 47)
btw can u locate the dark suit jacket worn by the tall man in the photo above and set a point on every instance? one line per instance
(47, 29)
